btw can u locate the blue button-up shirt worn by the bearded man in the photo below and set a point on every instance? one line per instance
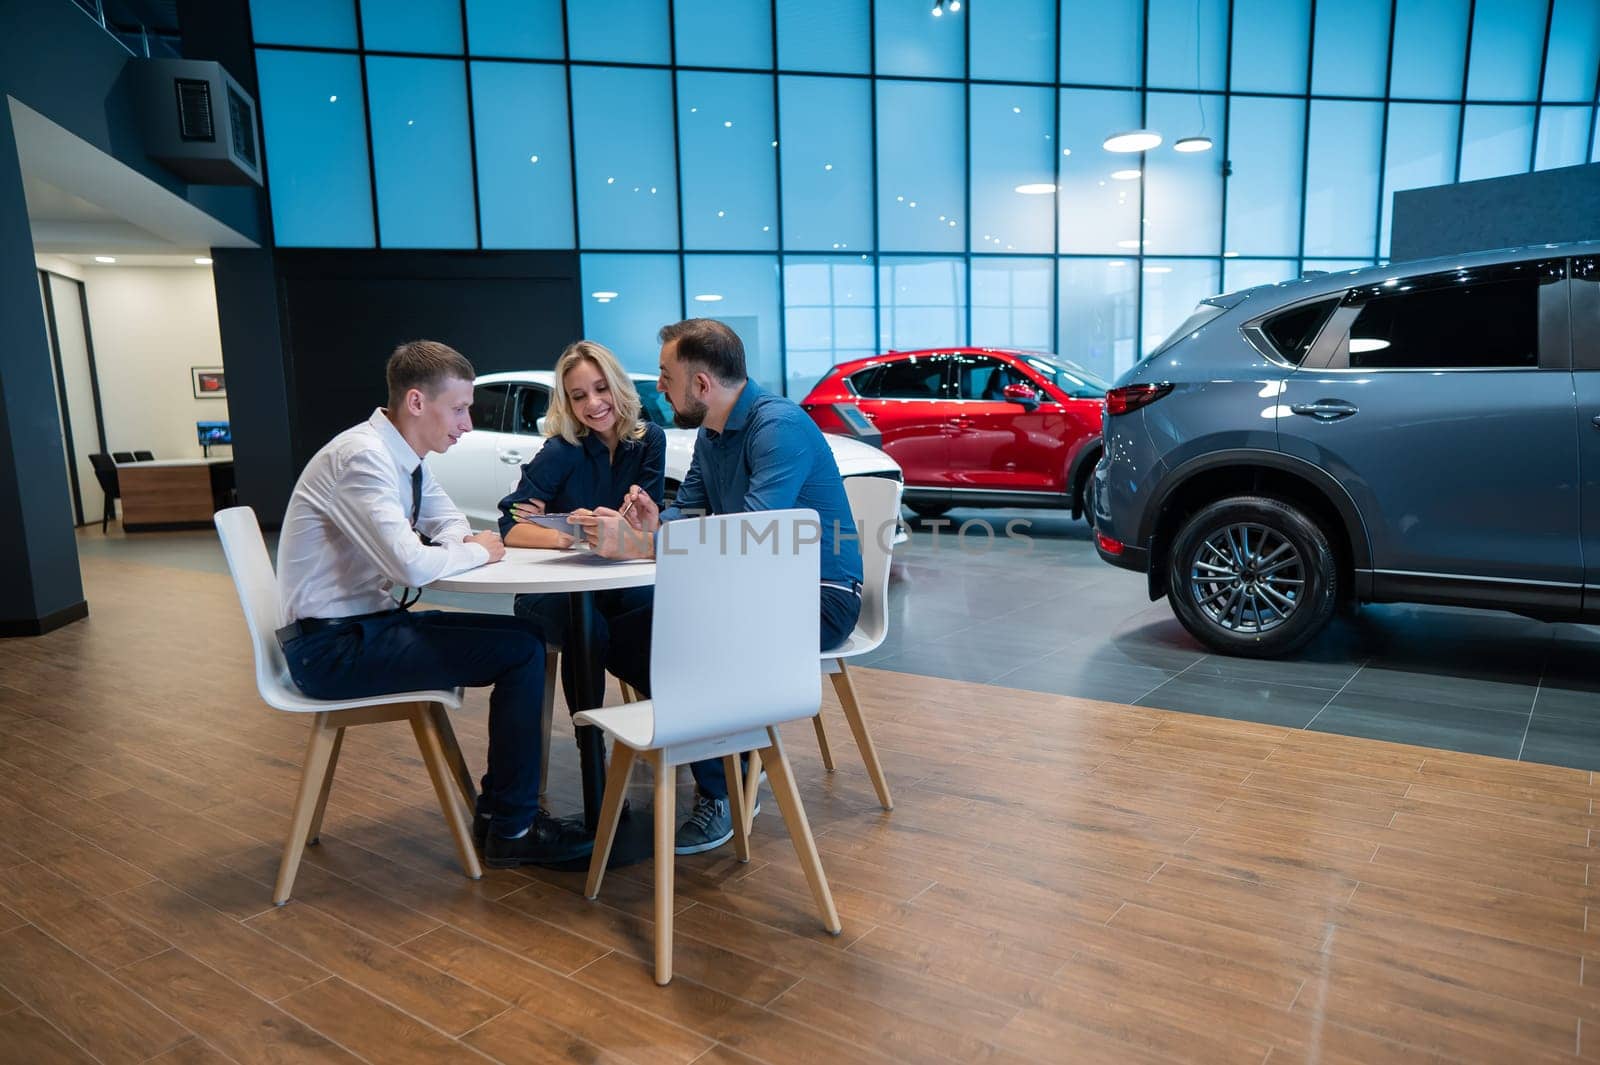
(772, 457)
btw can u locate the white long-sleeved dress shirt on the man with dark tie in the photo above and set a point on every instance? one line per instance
(348, 535)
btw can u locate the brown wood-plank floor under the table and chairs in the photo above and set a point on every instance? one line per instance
(1060, 882)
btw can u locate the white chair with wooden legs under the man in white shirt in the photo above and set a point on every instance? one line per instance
(426, 711)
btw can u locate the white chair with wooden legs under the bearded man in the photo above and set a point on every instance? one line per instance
(874, 506)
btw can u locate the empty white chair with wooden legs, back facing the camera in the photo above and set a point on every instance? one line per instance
(732, 658)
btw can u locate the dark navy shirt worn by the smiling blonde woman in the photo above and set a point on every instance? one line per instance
(569, 477)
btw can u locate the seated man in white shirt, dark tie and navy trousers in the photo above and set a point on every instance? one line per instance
(367, 519)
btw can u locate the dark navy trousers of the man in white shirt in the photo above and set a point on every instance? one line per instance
(418, 650)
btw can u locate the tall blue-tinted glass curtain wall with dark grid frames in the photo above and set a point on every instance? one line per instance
(838, 178)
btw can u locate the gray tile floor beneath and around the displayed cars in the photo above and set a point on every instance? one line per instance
(1046, 613)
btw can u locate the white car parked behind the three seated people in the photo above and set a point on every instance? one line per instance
(508, 417)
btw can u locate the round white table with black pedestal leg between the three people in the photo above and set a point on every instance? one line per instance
(578, 573)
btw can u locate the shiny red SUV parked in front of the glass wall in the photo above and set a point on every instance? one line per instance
(974, 426)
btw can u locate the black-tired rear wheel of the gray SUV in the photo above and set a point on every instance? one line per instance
(1252, 576)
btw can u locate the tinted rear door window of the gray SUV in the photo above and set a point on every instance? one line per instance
(1450, 327)
